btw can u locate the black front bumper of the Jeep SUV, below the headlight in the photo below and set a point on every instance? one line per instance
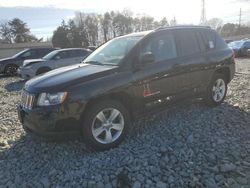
(48, 123)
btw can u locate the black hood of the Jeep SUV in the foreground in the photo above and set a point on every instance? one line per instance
(62, 78)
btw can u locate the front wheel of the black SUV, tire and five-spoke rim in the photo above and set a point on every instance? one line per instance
(99, 132)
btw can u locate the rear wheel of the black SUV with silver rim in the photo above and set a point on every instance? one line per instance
(217, 90)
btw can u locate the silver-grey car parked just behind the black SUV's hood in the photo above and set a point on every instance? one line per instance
(53, 60)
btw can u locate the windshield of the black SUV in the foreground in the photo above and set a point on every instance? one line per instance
(113, 51)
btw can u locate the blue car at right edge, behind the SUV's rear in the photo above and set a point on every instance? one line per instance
(240, 47)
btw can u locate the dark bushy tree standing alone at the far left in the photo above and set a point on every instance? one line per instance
(16, 31)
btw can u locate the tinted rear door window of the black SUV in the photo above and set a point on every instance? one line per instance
(188, 42)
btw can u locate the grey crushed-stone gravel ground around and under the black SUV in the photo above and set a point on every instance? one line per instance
(187, 145)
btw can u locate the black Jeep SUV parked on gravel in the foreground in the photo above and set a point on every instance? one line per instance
(125, 77)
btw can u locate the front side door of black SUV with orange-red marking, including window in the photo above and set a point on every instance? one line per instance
(157, 80)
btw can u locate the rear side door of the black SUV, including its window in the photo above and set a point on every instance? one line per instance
(191, 68)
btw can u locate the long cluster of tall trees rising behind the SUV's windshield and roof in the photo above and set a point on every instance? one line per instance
(95, 29)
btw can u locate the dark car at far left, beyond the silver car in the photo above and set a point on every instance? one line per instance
(10, 65)
